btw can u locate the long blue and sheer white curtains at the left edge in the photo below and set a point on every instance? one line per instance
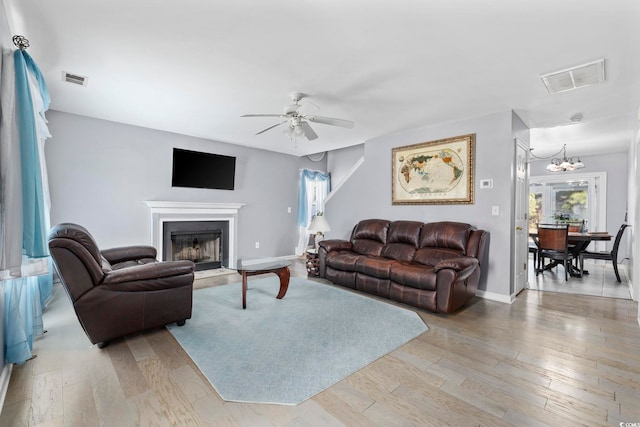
(28, 286)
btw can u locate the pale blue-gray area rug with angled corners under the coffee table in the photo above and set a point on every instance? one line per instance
(285, 351)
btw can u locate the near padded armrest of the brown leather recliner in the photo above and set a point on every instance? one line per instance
(148, 272)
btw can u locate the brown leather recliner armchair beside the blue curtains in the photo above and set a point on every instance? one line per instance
(119, 291)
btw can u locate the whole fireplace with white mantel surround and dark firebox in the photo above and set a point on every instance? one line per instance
(214, 225)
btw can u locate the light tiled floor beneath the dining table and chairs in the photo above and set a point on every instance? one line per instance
(601, 280)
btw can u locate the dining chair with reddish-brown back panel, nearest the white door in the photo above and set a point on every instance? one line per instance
(553, 243)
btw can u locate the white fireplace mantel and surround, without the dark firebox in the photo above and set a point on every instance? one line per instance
(165, 211)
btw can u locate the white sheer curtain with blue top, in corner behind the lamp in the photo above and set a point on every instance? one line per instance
(314, 188)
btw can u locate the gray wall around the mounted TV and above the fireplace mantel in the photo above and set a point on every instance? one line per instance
(100, 173)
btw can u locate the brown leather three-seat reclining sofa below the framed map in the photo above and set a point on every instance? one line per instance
(433, 266)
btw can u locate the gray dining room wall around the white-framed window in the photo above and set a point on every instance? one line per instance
(616, 166)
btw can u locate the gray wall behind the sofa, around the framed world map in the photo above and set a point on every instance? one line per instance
(368, 193)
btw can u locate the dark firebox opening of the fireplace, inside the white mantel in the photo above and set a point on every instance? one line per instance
(206, 243)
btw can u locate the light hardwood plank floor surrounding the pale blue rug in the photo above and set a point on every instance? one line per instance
(548, 359)
